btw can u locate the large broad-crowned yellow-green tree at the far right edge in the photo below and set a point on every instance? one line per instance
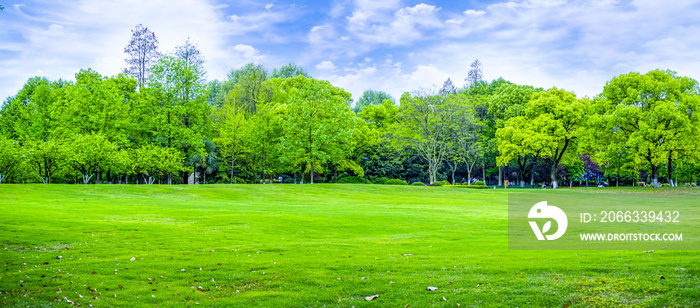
(652, 114)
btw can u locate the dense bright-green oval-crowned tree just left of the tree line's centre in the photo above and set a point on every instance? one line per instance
(317, 125)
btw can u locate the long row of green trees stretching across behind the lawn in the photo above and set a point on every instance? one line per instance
(160, 121)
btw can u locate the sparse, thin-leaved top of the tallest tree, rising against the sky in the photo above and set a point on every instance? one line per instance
(142, 52)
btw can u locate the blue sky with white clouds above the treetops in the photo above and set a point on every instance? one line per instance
(392, 45)
